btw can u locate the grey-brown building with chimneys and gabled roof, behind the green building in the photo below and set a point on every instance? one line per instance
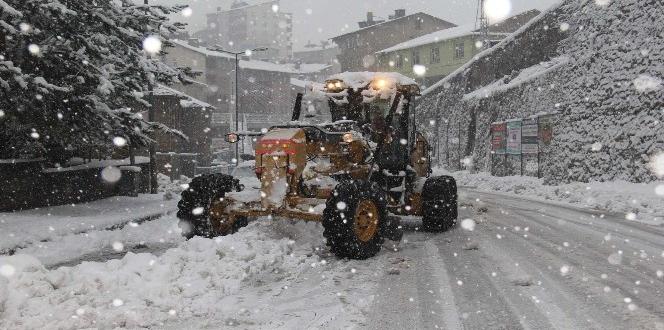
(358, 48)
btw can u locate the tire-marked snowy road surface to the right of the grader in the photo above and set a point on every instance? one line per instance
(530, 265)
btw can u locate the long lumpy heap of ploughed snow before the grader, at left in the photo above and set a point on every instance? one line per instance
(143, 290)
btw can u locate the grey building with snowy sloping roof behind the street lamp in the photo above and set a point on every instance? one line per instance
(264, 93)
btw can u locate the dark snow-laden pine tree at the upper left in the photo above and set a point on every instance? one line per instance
(71, 70)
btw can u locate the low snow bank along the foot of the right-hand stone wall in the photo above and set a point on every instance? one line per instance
(637, 201)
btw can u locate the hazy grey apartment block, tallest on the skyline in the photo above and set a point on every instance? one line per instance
(246, 26)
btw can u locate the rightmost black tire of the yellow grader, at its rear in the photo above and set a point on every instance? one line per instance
(439, 204)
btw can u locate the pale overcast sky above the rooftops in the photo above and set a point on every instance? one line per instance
(322, 19)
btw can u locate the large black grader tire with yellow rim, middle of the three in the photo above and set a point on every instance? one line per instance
(353, 219)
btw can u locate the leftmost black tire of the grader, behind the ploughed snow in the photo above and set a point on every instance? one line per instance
(196, 201)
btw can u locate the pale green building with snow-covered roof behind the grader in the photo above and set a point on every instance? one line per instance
(442, 52)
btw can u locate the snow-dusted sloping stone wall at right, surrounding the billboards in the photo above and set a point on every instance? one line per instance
(601, 67)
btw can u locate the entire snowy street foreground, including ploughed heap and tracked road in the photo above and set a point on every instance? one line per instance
(525, 264)
